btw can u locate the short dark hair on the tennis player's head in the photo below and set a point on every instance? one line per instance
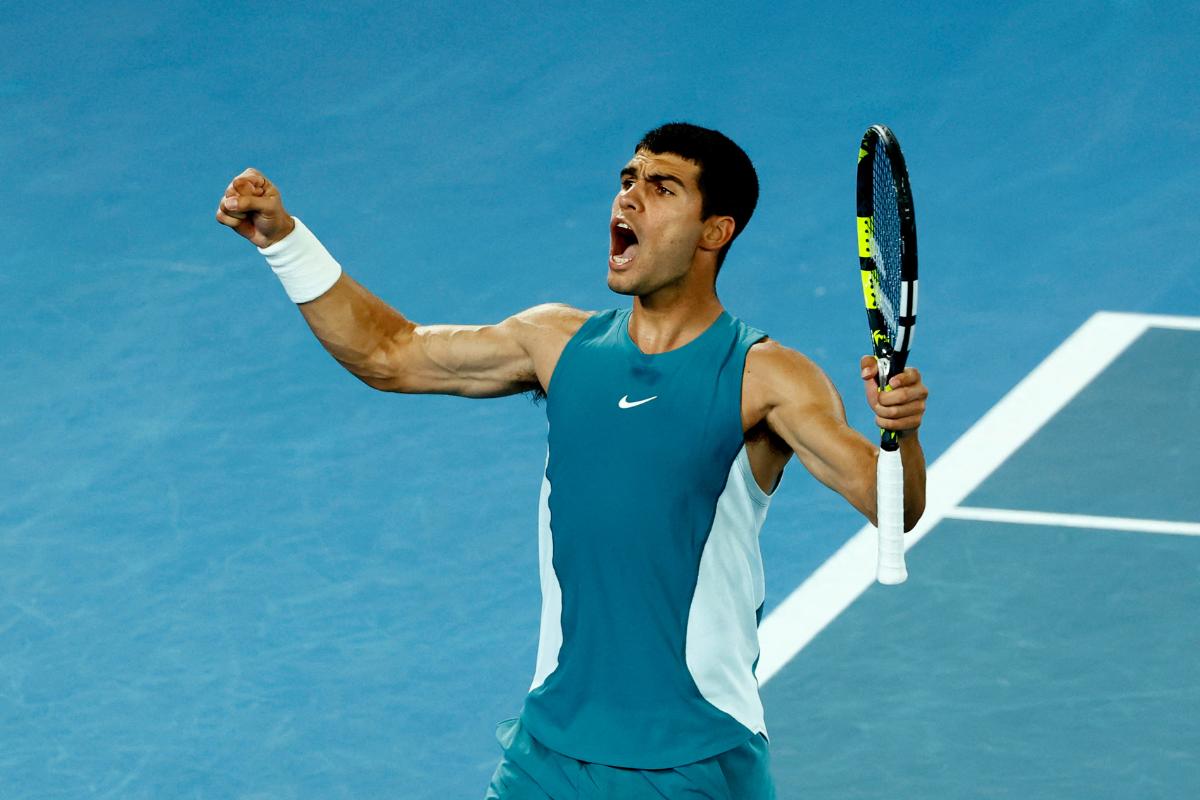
(729, 185)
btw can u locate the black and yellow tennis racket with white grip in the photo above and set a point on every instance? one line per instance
(887, 256)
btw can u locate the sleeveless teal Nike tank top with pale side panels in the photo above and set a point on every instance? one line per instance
(651, 572)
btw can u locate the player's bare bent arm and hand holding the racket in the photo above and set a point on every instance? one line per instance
(802, 407)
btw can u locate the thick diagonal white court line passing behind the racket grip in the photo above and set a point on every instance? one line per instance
(849, 573)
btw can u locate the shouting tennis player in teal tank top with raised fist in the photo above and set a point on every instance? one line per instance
(671, 423)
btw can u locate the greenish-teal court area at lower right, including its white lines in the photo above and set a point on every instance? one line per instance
(1046, 645)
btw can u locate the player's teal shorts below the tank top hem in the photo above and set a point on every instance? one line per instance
(532, 772)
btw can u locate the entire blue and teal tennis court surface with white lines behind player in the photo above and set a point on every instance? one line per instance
(230, 570)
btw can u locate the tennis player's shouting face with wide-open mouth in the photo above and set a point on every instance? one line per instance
(656, 224)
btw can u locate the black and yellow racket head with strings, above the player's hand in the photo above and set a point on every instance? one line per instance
(887, 252)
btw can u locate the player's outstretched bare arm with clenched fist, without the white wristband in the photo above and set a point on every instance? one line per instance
(388, 352)
